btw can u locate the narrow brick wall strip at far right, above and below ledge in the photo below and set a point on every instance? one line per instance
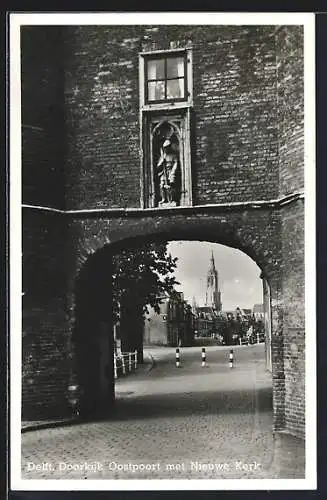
(289, 44)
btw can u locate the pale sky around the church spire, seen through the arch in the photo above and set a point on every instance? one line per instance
(238, 275)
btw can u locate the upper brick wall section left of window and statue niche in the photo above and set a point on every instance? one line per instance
(101, 96)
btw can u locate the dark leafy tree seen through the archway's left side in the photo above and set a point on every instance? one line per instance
(140, 275)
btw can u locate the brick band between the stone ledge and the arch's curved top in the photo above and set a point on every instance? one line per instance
(254, 231)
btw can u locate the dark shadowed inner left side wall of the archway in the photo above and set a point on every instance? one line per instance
(92, 335)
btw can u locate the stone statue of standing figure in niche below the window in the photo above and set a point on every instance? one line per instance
(167, 170)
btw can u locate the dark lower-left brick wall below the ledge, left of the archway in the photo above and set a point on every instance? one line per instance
(45, 326)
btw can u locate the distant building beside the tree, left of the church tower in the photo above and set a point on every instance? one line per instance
(173, 325)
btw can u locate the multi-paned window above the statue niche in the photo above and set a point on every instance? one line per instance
(166, 78)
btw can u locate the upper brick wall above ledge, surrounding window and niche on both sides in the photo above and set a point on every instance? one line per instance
(234, 113)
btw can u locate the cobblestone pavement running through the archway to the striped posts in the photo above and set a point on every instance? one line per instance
(176, 423)
